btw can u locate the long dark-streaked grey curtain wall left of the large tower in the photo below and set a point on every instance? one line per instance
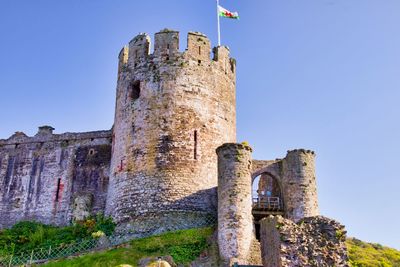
(41, 176)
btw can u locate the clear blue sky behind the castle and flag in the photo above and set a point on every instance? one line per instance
(316, 74)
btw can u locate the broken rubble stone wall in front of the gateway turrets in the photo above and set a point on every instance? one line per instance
(314, 241)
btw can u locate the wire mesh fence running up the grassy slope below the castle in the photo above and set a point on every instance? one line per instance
(44, 254)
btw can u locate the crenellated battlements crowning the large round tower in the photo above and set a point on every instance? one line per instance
(137, 55)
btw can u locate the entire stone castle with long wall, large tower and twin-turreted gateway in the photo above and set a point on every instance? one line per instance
(170, 160)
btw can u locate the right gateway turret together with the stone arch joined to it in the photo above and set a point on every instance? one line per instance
(295, 175)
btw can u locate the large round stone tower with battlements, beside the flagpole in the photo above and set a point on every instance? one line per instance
(173, 109)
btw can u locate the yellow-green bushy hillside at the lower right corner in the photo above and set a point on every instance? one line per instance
(364, 254)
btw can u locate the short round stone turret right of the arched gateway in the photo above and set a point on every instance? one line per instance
(299, 184)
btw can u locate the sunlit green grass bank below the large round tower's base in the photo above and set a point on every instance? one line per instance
(184, 246)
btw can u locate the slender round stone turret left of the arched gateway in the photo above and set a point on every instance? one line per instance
(235, 220)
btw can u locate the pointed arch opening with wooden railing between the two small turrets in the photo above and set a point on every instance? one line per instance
(267, 199)
